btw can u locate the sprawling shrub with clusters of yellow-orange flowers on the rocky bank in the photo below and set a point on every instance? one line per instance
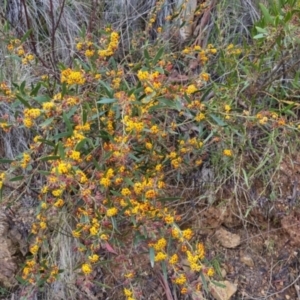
(108, 144)
